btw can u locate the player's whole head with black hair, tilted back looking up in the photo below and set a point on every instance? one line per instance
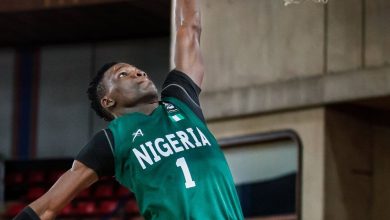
(117, 86)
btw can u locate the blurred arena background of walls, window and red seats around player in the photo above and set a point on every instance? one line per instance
(298, 97)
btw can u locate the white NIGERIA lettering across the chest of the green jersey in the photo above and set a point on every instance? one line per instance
(153, 151)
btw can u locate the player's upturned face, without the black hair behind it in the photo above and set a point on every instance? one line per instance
(129, 86)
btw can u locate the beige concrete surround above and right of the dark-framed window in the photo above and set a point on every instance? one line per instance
(309, 125)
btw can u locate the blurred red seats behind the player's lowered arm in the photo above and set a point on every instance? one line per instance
(25, 181)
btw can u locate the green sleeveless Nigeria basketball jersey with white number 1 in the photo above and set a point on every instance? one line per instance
(173, 165)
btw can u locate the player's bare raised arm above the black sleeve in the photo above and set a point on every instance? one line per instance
(188, 57)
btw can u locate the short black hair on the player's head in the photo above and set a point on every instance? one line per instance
(96, 92)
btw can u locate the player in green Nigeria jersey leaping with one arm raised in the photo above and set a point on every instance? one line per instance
(160, 150)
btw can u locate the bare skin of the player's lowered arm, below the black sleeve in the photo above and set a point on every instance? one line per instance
(62, 192)
